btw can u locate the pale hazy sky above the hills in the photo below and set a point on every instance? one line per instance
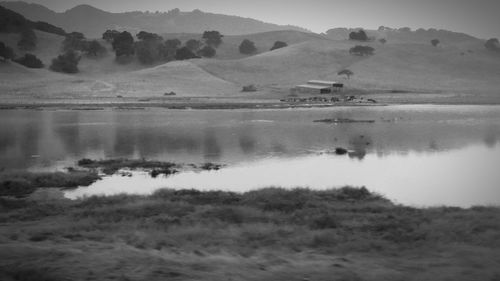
(480, 18)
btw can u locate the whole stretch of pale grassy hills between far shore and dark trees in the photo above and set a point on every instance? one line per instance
(407, 63)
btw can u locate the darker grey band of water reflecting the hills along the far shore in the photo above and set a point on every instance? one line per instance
(58, 138)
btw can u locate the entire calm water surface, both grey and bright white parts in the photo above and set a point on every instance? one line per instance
(421, 155)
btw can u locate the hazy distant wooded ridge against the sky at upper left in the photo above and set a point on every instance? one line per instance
(175, 21)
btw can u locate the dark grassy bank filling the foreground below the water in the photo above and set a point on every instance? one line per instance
(269, 234)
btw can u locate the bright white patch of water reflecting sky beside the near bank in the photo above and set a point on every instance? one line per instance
(464, 177)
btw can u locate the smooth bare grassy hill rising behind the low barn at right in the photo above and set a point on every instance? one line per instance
(465, 67)
